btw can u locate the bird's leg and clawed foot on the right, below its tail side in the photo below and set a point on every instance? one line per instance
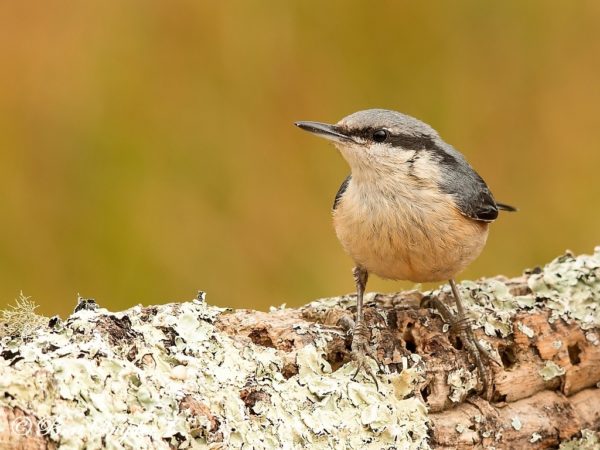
(461, 324)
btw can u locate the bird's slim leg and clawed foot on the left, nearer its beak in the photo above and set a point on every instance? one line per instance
(360, 334)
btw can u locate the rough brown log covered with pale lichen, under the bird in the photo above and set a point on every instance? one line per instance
(192, 375)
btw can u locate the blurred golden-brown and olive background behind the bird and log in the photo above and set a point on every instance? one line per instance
(147, 149)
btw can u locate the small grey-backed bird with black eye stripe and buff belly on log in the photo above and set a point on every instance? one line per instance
(411, 209)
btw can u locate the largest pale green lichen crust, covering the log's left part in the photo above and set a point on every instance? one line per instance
(128, 393)
